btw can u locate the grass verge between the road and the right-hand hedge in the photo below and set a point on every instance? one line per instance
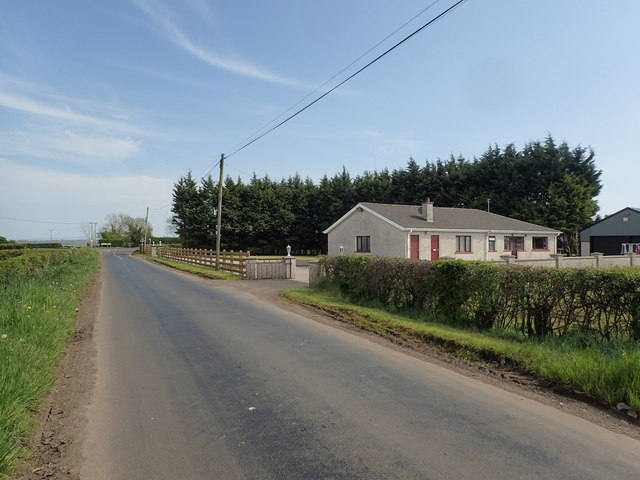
(607, 370)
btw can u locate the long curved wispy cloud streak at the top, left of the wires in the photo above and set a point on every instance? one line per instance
(164, 22)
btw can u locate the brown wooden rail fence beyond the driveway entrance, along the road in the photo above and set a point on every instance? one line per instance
(234, 262)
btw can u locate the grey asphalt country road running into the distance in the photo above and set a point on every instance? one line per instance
(197, 380)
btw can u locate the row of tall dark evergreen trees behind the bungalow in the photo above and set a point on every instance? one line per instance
(544, 183)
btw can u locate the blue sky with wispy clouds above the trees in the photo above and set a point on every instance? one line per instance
(104, 106)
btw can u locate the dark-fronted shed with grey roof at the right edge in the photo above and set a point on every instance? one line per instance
(613, 235)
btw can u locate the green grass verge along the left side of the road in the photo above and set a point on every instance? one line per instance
(36, 320)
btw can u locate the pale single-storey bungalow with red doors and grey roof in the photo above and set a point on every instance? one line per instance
(430, 233)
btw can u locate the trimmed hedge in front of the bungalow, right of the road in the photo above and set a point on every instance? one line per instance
(535, 301)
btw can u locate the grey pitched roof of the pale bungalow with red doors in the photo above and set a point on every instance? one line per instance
(407, 217)
